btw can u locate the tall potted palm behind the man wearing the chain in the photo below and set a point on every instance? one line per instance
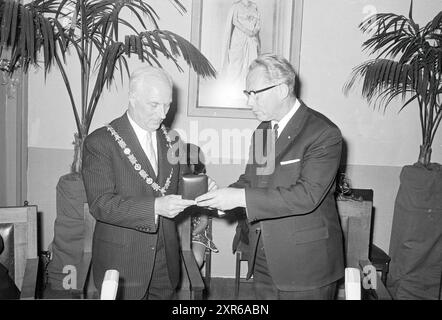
(43, 33)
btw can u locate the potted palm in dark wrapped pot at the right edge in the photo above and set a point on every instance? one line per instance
(408, 65)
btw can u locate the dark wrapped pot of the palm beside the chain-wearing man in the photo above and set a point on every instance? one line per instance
(69, 229)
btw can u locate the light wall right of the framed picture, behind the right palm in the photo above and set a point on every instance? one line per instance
(378, 143)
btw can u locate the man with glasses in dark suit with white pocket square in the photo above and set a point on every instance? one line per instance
(288, 190)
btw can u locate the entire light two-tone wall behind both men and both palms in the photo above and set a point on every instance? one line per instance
(378, 144)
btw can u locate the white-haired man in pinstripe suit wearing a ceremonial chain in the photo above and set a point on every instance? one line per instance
(132, 185)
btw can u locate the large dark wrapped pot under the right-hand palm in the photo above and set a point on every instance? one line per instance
(416, 237)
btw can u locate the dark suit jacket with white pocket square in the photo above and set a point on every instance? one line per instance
(294, 206)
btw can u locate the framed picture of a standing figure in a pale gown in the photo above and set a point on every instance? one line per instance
(231, 34)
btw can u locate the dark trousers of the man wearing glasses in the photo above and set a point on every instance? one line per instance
(265, 289)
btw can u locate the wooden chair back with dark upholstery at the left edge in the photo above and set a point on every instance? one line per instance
(18, 227)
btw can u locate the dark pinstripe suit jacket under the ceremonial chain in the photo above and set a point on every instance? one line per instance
(125, 234)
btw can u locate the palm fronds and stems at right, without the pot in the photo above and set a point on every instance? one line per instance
(408, 65)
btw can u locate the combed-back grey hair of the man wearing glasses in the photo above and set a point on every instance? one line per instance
(277, 69)
